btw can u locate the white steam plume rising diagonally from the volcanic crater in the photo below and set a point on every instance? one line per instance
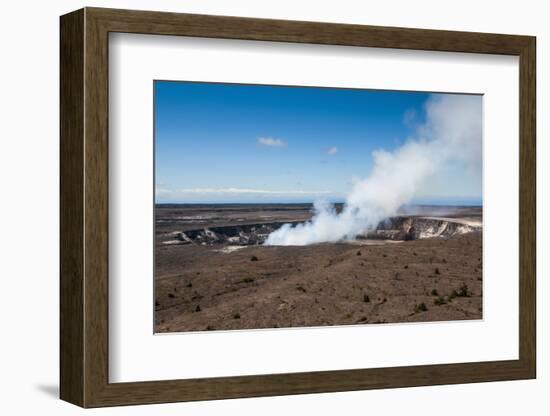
(451, 133)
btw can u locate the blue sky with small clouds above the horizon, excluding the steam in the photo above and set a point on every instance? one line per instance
(251, 143)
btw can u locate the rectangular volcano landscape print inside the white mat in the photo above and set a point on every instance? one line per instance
(290, 206)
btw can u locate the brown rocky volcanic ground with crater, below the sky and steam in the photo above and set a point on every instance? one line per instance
(212, 271)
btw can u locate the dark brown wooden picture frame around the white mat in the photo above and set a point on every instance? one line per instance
(84, 209)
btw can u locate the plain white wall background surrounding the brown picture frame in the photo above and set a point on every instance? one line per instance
(29, 235)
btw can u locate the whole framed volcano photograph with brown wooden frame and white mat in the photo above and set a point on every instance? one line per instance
(255, 207)
